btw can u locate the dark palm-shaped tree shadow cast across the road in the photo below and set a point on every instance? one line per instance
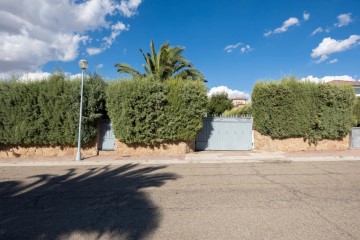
(99, 203)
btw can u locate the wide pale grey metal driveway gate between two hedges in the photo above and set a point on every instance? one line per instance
(225, 133)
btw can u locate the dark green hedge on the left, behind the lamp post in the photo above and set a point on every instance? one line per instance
(47, 112)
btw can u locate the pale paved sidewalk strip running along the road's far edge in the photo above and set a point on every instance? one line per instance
(196, 157)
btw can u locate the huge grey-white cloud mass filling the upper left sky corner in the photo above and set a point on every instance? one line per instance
(33, 34)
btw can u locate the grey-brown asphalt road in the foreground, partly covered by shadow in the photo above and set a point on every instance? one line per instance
(274, 200)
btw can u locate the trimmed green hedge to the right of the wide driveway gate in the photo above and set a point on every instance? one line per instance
(291, 108)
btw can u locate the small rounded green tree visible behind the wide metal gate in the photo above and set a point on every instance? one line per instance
(218, 104)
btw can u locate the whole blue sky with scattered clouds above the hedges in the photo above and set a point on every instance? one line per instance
(234, 43)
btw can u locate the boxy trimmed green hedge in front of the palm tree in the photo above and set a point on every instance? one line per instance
(149, 112)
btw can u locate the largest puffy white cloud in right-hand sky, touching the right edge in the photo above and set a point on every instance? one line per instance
(329, 46)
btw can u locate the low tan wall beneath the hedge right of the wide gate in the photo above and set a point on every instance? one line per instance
(265, 143)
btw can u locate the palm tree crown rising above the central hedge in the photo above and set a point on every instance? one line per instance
(168, 63)
